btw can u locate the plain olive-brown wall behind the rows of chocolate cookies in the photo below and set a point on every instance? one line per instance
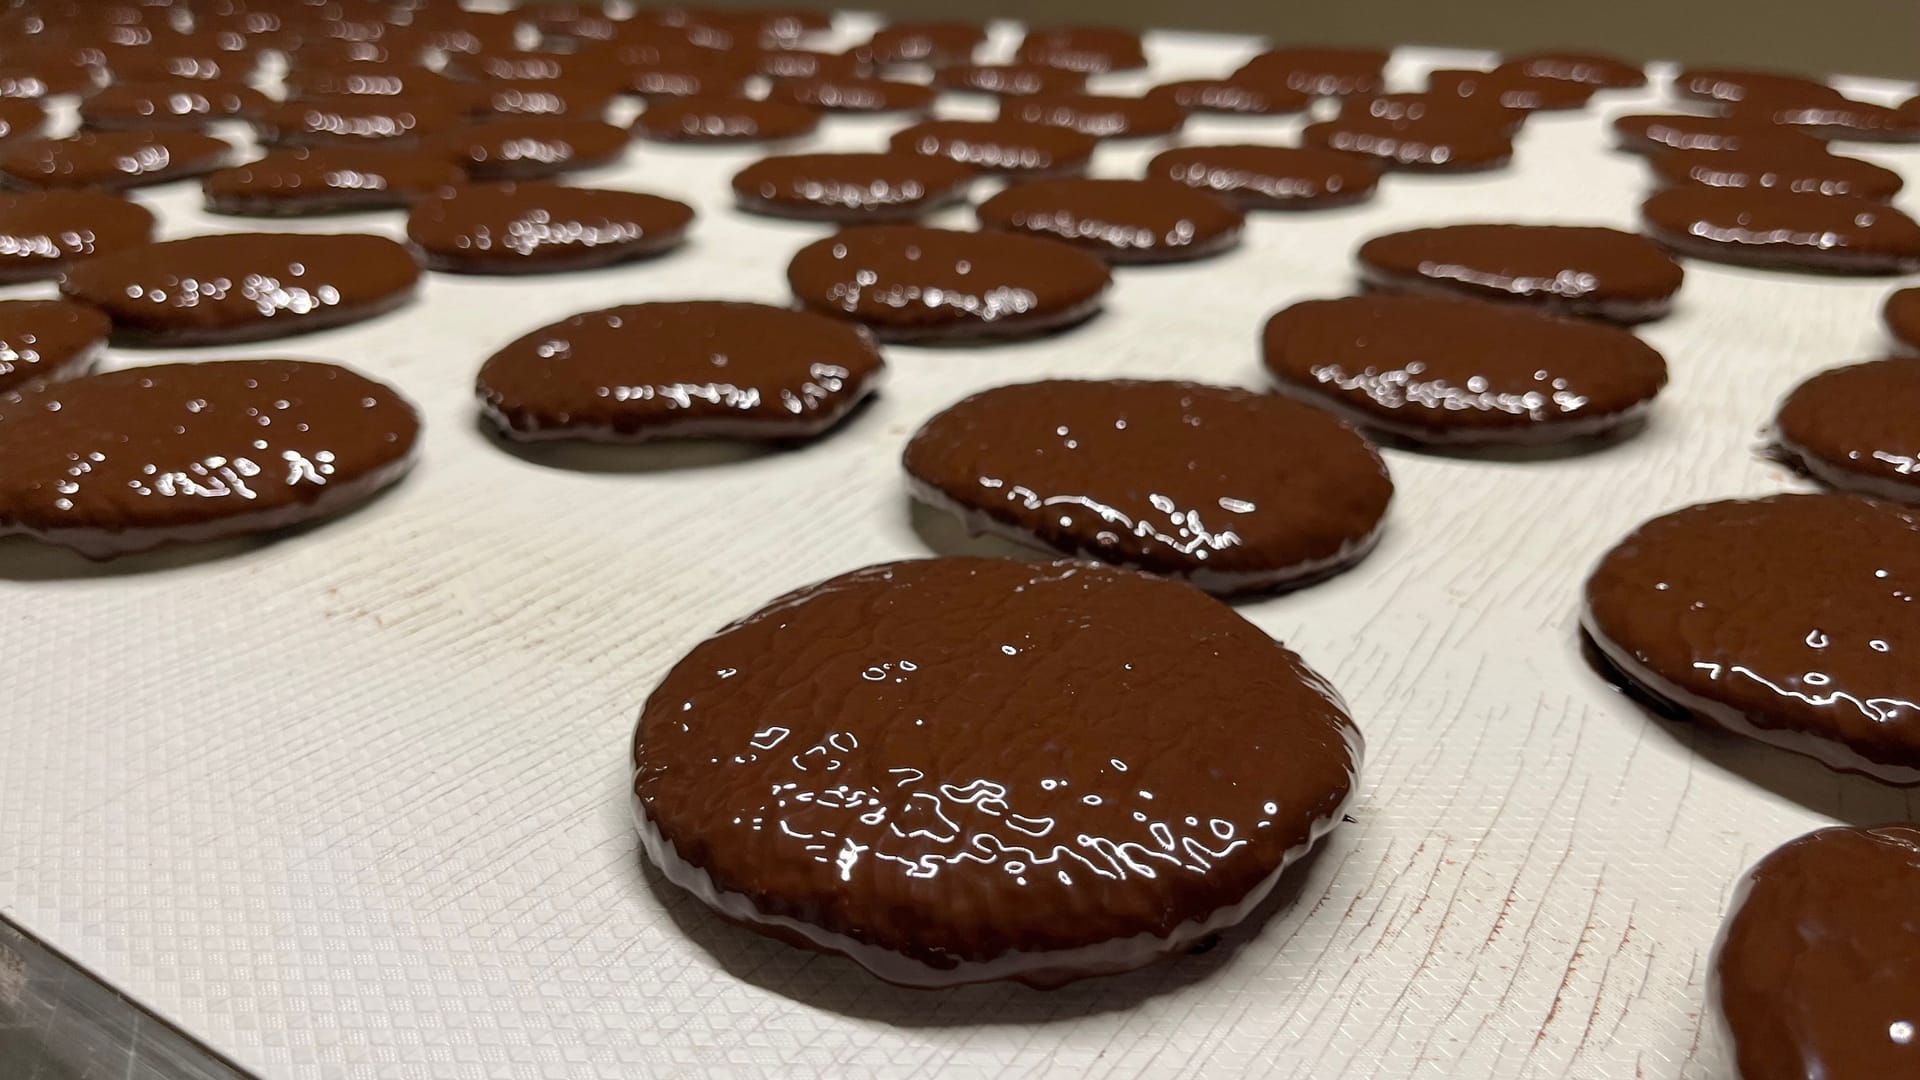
(1860, 37)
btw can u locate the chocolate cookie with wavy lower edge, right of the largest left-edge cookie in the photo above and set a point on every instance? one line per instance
(704, 368)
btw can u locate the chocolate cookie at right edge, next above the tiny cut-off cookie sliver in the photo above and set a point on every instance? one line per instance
(1785, 230)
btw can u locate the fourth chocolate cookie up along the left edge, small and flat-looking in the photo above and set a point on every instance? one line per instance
(110, 160)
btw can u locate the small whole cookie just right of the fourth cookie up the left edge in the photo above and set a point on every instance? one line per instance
(327, 180)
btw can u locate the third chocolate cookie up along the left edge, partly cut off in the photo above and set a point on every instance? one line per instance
(43, 233)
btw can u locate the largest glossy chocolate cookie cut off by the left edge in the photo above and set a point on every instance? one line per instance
(185, 453)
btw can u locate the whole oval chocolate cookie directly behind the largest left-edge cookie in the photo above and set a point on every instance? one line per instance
(241, 287)
